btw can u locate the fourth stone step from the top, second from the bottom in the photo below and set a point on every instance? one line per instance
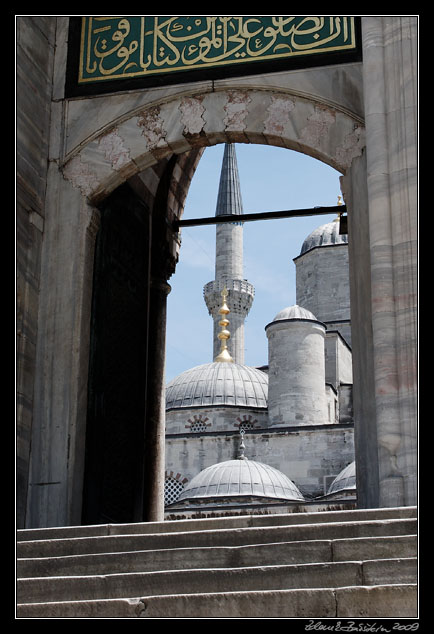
(214, 580)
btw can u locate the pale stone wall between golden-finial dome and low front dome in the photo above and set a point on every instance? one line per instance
(283, 449)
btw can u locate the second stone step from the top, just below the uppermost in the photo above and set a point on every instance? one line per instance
(217, 537)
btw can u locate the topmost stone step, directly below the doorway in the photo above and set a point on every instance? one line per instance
(241, 521)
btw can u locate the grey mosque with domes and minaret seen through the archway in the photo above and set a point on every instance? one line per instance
(279, 435)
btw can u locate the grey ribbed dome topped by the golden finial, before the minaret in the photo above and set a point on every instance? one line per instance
(218, 384)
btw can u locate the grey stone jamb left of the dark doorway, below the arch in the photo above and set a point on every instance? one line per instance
(60, 401)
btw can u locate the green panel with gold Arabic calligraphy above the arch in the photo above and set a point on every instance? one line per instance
(140, 46)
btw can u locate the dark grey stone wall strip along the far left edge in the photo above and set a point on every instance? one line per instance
(35, 52)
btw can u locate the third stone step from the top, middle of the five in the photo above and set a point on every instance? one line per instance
(314, 551)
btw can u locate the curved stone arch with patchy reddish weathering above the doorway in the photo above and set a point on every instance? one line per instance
(139, 140)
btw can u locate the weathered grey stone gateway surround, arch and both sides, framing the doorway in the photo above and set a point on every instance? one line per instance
(320, 112)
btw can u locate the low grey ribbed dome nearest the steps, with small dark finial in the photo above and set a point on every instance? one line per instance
(240, 477)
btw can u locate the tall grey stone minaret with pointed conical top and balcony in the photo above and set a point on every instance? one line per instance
(229, 261)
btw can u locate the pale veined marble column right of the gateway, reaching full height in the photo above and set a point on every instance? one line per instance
(390, 95)
